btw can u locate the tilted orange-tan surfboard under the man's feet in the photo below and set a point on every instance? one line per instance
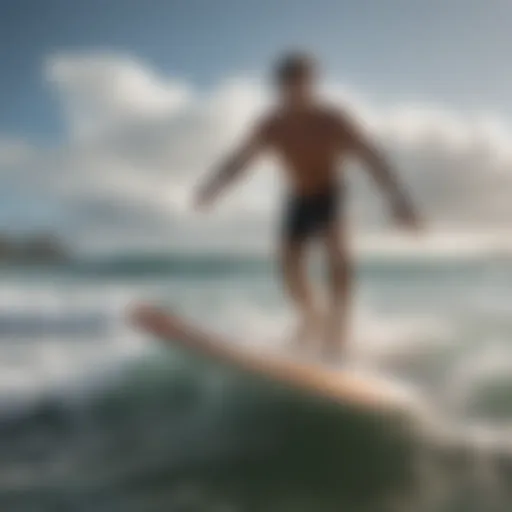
(341, 386)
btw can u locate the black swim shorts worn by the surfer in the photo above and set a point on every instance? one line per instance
(307, 216)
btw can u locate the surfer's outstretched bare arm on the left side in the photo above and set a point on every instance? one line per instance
(231, 168)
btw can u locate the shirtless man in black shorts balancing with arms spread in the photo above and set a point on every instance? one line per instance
(311, 139)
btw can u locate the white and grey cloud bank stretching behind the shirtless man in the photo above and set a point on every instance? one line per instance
(138, 141)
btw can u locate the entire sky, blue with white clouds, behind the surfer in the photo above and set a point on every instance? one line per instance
(111, 110)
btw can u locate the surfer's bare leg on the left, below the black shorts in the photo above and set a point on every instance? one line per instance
(297, 285)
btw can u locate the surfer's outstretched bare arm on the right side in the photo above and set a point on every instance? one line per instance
(382, 173)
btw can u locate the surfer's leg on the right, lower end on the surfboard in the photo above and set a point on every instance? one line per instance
(340, 288)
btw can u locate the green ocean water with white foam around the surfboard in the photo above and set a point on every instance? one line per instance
(95, 416)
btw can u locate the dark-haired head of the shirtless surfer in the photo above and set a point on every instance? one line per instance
(295, 76)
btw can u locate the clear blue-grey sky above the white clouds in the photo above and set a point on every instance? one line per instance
(451, 52)
